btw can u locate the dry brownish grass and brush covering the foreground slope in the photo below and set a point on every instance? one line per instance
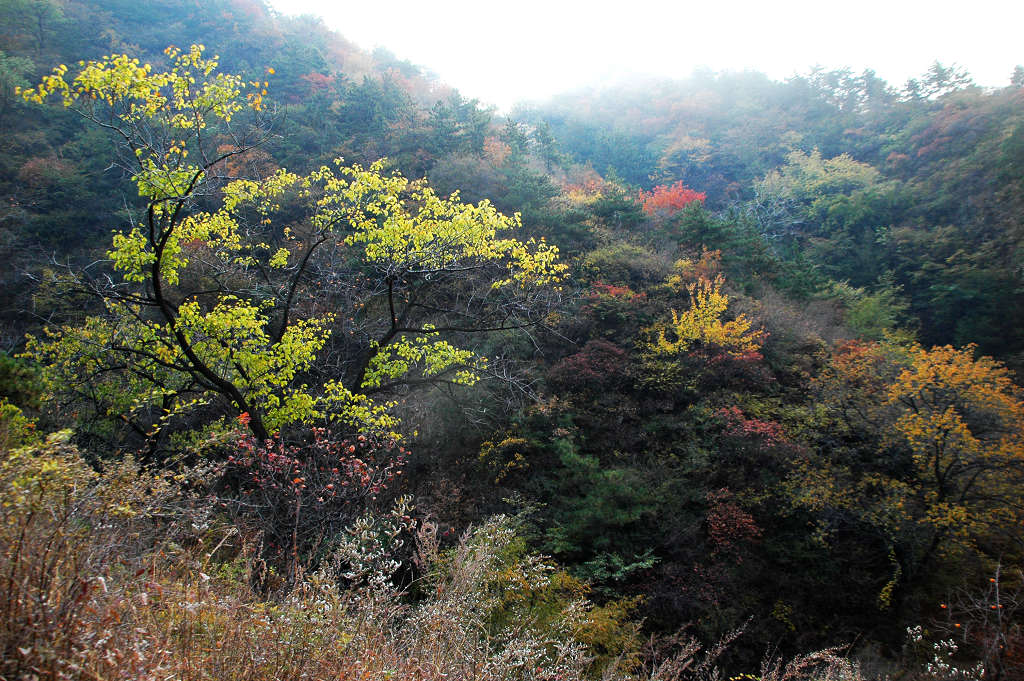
(123, 576)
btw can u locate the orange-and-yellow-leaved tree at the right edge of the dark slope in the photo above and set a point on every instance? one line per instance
(927, 448)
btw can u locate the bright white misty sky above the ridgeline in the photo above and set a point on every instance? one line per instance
(503, 53)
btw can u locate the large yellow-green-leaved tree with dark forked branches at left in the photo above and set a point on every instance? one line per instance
(288, 299)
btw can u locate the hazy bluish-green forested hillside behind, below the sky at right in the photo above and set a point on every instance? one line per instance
(910, 189)
